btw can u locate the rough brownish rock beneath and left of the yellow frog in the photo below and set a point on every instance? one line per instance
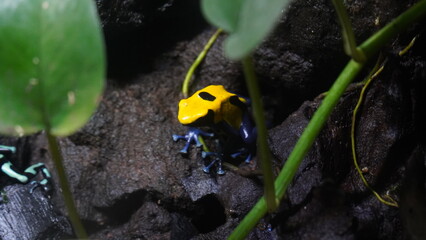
(125, 157)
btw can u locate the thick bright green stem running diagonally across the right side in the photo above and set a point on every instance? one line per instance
(370, 47)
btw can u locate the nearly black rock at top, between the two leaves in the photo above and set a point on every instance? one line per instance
(137, 32)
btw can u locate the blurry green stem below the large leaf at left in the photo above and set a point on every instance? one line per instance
(66, 192)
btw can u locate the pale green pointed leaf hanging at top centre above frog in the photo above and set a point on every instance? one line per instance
(247, 21)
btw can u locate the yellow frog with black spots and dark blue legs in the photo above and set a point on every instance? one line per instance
(227, 114)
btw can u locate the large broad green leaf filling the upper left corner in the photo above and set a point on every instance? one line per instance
(52, 65)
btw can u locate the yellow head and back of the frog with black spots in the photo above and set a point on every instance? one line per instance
(211, 105)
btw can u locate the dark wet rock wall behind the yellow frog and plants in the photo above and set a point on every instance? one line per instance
(130, 182)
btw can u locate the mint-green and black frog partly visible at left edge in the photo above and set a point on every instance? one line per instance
(28, 174)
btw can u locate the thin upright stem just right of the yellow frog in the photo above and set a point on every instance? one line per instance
(262, 133)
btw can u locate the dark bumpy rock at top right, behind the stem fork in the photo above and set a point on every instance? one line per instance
(304, 54)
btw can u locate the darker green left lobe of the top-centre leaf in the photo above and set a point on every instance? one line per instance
(222, 13)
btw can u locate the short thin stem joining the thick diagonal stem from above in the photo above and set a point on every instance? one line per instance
(349, 41)
